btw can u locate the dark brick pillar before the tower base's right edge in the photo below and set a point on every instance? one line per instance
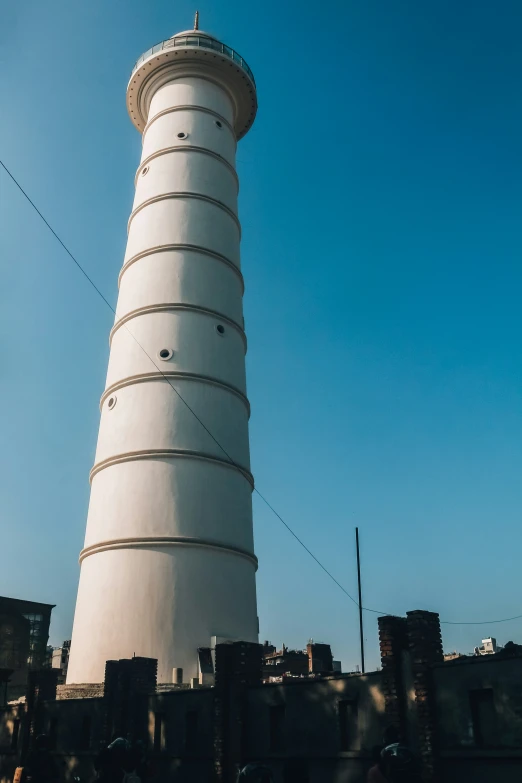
(238, 666)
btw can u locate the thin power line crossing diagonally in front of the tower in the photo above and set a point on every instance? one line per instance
(238, 467)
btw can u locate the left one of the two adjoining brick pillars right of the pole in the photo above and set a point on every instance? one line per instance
(393, 641)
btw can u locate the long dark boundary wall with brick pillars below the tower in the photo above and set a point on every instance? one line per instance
(463, 718)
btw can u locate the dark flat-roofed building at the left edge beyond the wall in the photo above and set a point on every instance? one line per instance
(24, 633)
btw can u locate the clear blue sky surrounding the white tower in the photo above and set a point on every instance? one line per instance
(381, 204)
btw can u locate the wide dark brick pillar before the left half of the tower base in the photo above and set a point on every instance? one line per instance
(127, 684)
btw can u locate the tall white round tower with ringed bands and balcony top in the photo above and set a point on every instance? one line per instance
(168, 561)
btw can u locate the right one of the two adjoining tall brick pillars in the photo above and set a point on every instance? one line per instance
(425, 645)
